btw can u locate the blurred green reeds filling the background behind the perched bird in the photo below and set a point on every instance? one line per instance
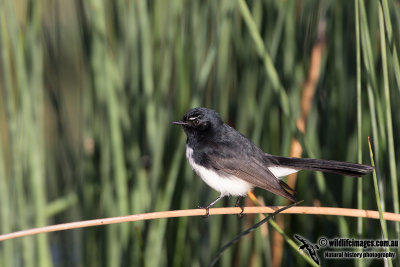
(89, 90)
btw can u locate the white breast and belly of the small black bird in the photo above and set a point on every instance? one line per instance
(225, 184)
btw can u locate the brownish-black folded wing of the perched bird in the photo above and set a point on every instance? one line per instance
(246, 162)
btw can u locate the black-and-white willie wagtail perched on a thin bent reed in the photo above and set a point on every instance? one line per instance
(232, 165)
